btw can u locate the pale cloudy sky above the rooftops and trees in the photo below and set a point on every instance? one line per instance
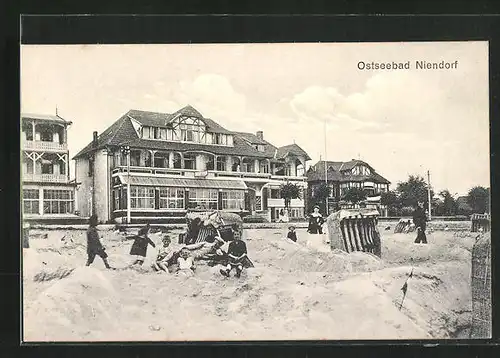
(401, 122)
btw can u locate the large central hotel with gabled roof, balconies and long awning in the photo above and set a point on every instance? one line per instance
(157, 166)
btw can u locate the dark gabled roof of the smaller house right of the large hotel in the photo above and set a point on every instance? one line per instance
(335, 172)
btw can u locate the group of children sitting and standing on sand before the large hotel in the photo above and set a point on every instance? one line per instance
(178, 258)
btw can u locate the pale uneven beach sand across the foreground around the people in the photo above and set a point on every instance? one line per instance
(294, 292)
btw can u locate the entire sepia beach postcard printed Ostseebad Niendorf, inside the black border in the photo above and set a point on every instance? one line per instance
(255, 192)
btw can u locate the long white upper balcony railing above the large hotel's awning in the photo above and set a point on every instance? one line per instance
(211, 173)
